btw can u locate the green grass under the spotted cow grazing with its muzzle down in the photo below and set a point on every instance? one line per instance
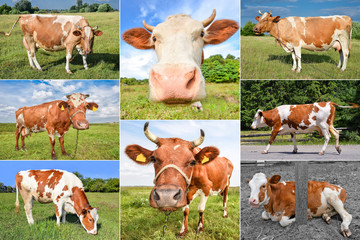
(17, 227)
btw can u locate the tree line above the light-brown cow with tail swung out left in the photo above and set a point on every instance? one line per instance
(25, 7)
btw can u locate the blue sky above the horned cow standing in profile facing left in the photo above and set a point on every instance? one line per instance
(300, 8)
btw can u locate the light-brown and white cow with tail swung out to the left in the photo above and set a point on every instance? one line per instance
(54, 33)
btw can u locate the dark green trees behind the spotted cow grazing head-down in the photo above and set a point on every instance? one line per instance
(90, 184)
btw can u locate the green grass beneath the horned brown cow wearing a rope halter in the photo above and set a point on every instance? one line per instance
(140, 221)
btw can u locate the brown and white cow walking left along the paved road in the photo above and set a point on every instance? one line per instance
(302, 118)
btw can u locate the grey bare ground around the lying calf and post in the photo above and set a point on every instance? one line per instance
(344, 174)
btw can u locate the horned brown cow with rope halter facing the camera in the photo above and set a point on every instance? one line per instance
(183, 172)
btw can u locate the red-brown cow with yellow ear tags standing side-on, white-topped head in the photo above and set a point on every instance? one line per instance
(54, 117)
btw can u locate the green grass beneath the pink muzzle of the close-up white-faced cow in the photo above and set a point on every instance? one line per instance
(222, 102)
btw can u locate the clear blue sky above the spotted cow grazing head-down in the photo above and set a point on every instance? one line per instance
(92, 169)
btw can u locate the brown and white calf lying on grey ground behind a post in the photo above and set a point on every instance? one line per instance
(278, 198)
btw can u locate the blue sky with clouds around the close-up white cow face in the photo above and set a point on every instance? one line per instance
(137, 63)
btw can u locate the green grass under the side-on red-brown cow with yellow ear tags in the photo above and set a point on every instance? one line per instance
(99, 142)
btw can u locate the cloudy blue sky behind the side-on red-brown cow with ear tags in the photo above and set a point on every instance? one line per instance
(15, 94)
